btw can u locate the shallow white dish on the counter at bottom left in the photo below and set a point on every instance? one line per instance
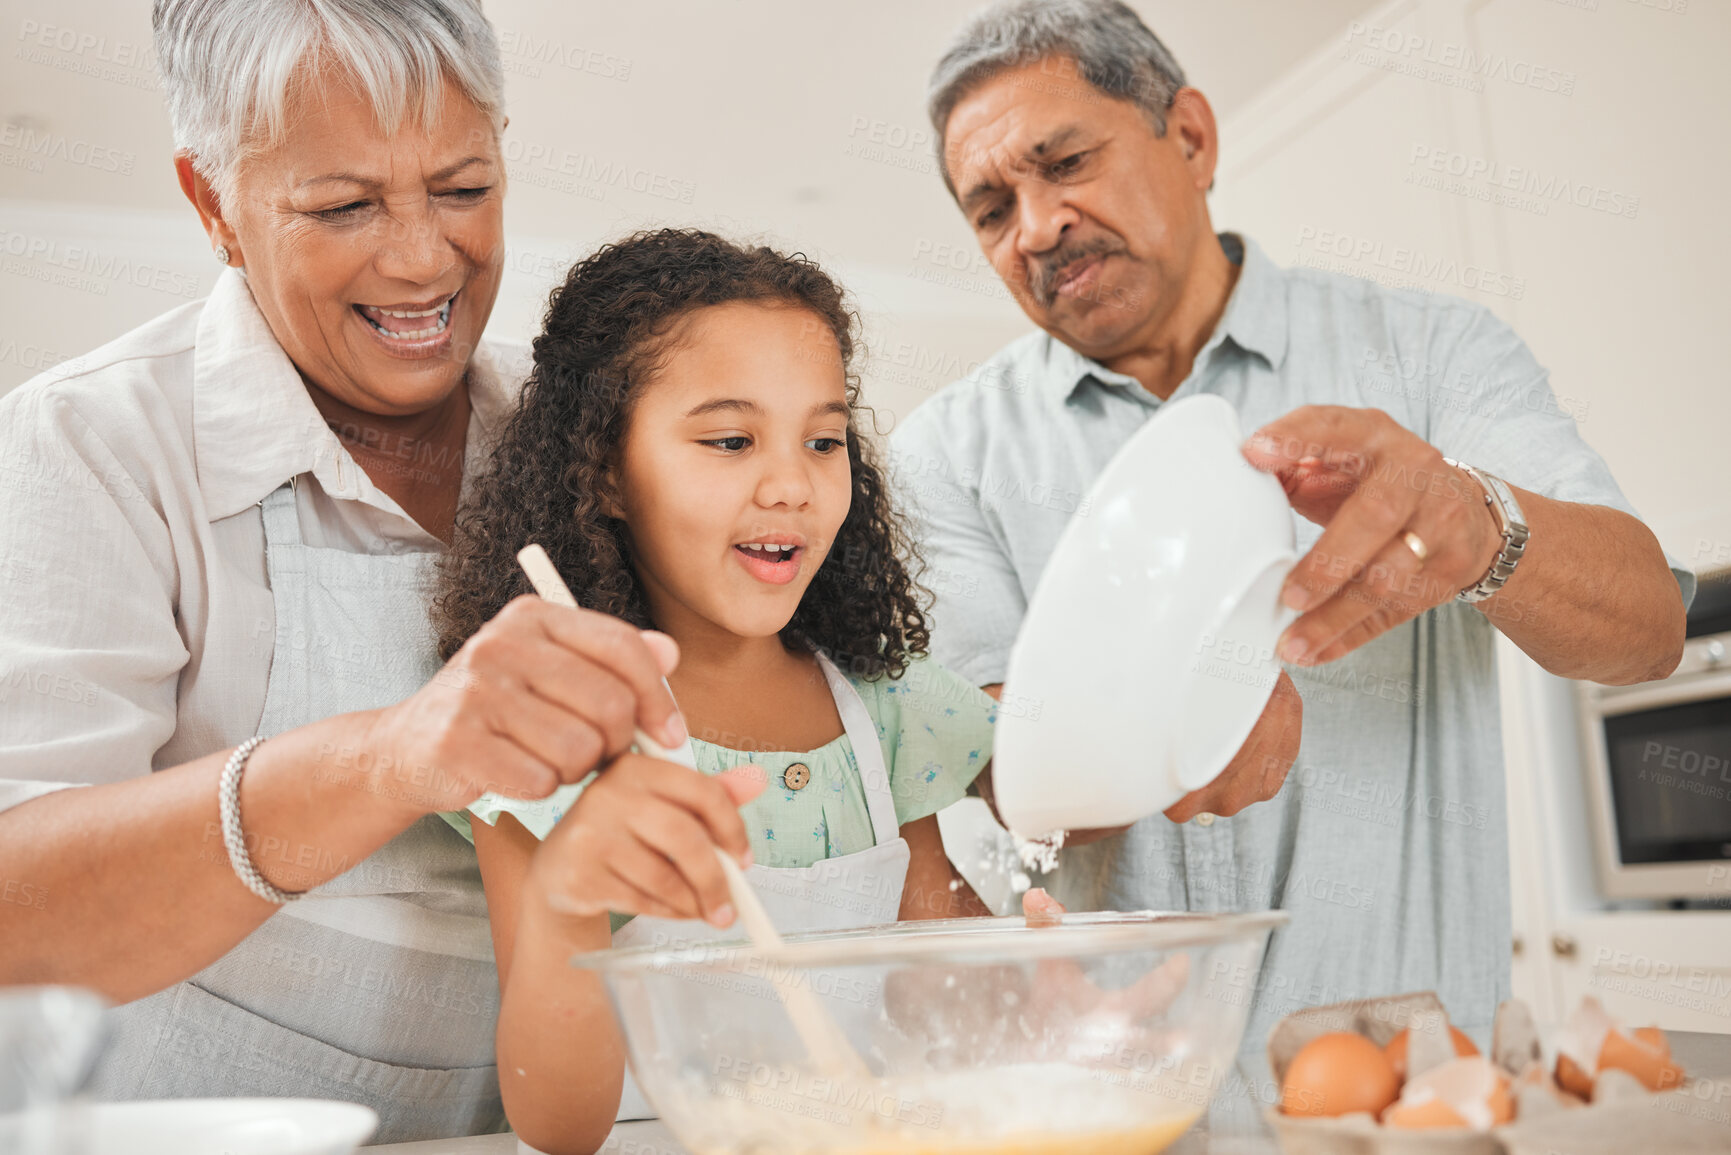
(228, 1126)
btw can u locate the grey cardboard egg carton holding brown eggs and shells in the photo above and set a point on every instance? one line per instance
(1625, 1116)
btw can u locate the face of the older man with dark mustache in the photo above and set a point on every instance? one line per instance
(1088, 216)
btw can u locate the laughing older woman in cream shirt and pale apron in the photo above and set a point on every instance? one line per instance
(222, 527)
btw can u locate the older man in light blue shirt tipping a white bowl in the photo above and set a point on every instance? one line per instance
(1431, 517)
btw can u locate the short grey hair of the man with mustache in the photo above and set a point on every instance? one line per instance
(1114, 51)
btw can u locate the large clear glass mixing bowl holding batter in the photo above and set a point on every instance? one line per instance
(1104, 1035)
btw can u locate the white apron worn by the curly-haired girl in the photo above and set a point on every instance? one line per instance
(797, 898)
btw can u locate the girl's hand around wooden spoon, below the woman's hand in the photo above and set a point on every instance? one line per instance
(641, 841)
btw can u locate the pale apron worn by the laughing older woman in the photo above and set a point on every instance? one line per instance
(380, 986)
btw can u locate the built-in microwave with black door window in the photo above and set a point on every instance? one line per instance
(1659, 768)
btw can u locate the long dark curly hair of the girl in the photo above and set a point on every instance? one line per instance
(605, 330)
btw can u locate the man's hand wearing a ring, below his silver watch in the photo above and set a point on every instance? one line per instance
(1403, 531)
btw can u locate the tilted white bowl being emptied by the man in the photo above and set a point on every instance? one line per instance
(1149, 648)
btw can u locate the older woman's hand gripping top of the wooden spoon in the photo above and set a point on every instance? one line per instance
(539, 697)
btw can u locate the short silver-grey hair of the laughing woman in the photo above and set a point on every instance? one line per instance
(228, 67)
